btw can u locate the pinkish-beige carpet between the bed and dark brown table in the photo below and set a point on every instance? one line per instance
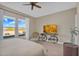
(53, 49)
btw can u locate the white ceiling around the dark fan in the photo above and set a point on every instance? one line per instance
(47, 7)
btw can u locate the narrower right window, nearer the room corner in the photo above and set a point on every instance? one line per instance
(21, 27)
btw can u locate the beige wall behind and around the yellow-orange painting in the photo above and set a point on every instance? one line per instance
(65, 20)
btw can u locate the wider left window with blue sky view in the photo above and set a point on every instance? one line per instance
(8, 26)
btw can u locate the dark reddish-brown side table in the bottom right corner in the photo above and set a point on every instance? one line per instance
(70, 49)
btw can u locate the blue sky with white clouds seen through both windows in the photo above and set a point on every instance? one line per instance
(9, 22)
